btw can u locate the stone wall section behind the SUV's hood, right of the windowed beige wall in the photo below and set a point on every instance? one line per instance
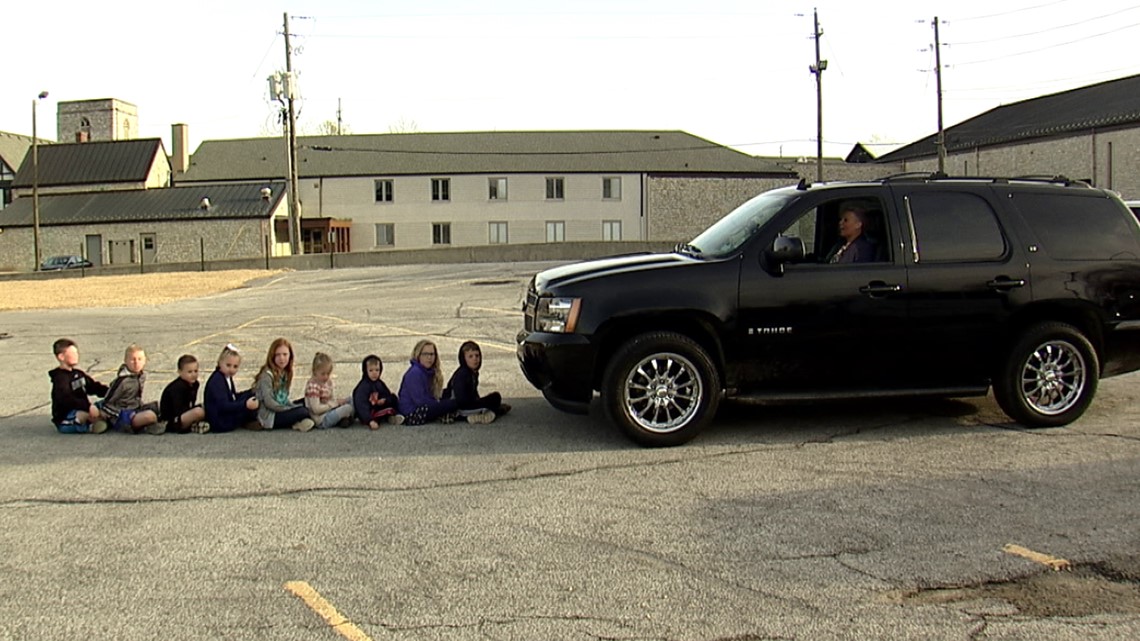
(682, 208)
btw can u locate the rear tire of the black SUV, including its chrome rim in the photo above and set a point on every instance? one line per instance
(1049, 378)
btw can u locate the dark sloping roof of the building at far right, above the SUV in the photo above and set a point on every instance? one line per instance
(1114, 103)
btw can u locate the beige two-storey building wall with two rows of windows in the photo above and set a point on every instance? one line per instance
(526, 209)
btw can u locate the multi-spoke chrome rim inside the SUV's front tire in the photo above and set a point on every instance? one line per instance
(663, 393)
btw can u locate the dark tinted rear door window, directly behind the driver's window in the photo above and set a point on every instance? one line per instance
(955, 228)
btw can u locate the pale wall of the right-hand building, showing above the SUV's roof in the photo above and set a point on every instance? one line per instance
(1109, 159)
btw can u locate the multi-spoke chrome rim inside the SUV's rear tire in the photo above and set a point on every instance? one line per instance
(1054, 378)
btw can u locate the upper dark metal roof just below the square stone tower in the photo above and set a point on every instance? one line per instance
(93, 164)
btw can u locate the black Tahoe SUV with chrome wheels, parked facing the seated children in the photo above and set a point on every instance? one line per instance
(1031, 287)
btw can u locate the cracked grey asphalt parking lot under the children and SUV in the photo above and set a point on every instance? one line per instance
(924, 520)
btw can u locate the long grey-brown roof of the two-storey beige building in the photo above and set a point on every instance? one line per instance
(490, 152)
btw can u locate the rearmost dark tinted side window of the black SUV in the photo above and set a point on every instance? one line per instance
(1073, 228)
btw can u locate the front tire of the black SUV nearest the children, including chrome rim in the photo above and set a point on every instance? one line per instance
(662, 390)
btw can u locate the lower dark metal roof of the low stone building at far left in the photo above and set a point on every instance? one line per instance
(150, 206)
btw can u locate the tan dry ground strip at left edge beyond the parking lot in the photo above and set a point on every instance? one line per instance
(118, 291)
